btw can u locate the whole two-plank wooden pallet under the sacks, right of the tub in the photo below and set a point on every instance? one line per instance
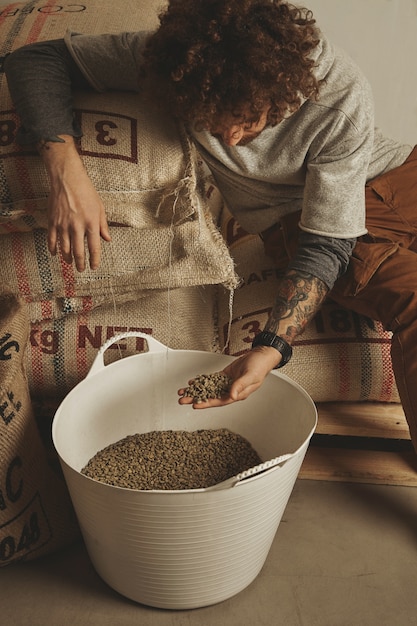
(365, 442)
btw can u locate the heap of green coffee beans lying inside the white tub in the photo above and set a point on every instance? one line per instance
(172, 460)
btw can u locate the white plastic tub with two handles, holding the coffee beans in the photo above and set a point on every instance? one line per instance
(190, 548)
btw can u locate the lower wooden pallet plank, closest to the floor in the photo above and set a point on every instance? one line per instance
(360, 466)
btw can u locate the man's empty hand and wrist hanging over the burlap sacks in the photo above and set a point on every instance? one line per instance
(75, 210)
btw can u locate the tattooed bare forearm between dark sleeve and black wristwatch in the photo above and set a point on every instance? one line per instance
(299, 297)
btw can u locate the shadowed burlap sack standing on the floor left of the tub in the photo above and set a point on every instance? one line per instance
(36, 515)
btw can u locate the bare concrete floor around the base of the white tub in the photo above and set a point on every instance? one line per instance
(344, 555)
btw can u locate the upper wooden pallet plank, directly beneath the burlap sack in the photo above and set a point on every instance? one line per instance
(362, 419)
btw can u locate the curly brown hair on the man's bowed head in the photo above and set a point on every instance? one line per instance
(211, 58)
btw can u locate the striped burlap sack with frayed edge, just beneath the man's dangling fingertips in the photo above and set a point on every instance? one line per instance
(130, 264)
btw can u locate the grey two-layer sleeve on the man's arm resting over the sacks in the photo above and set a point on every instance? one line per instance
(43, 76)
